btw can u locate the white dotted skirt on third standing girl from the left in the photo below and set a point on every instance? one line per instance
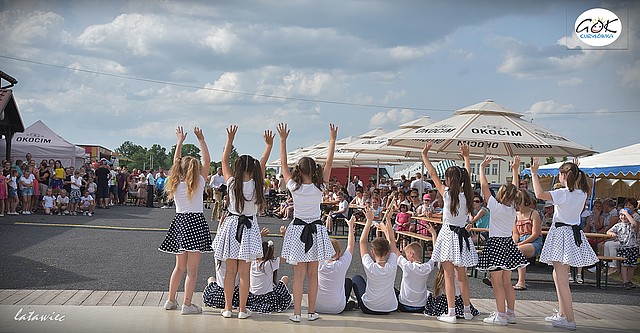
(293, 247)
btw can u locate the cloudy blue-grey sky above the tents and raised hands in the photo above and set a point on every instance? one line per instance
(105, 72)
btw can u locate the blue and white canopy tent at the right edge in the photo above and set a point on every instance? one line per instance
(617, 172)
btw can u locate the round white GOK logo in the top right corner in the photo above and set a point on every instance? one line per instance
(598, 27)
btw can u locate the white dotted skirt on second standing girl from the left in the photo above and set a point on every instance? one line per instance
(226, 246)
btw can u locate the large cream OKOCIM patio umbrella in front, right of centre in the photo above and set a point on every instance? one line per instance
(490, 129)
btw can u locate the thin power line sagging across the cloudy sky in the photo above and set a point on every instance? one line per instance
(299, 99)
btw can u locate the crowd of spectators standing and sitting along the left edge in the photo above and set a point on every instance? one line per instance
(28, 187)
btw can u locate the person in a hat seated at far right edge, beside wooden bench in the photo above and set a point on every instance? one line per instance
(625, 245)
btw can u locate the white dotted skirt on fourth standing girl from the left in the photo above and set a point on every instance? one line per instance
(447, 248)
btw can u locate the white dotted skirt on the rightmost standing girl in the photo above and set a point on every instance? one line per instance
(560, 246)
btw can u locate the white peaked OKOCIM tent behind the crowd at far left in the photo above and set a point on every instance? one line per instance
(43, 144)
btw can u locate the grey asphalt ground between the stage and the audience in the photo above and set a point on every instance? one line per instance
(116, 249)
